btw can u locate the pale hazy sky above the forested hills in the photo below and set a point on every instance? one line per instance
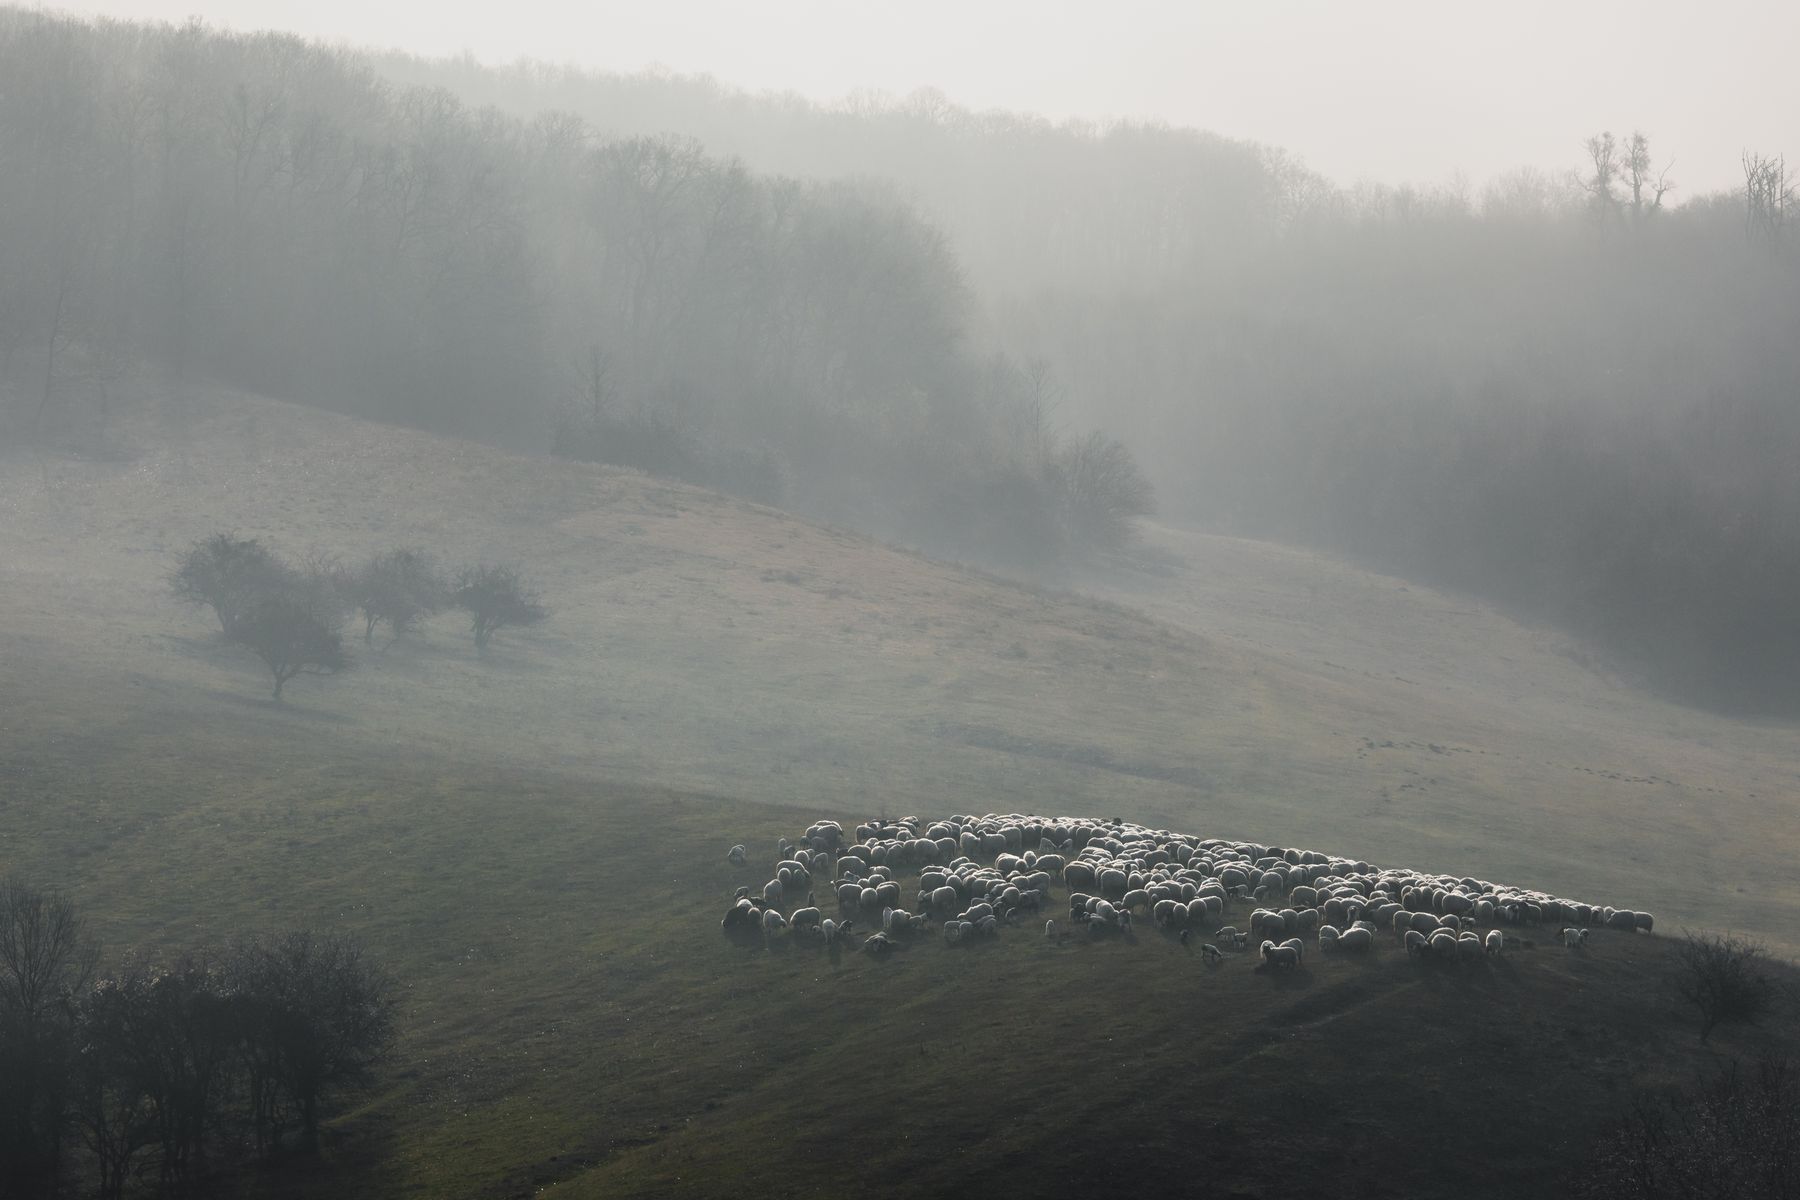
(1362, 89)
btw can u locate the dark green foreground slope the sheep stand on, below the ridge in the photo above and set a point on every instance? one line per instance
(571, 1017)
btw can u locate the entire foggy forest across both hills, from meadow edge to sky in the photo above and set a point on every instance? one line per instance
(1569, 393)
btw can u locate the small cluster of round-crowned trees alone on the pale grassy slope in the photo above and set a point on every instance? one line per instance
(291, 618)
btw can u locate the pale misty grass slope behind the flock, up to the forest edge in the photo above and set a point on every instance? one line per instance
(710, 645)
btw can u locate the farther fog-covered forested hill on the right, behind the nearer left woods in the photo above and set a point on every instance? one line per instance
(1558, 391)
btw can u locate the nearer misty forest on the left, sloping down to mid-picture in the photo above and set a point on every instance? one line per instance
(273, 213)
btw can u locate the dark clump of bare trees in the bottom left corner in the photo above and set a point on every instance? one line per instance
(168, 1073)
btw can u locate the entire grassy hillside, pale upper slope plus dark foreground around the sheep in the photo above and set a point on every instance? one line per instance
(535, 843)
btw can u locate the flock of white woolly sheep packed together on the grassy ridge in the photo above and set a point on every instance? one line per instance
(978, 875)
